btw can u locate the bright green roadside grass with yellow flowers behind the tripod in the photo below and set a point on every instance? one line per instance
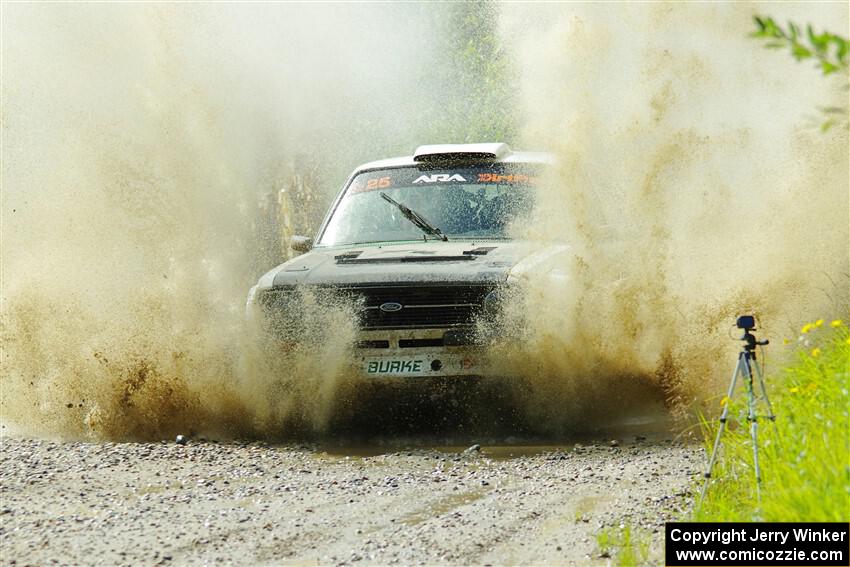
(805, 454)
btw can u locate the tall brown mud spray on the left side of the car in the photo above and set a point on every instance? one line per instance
(142, 147)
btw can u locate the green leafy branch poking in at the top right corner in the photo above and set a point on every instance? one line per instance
(828, 50)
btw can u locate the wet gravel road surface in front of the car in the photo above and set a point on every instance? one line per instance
(250, 503)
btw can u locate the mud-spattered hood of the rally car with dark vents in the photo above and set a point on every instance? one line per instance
(425, 262)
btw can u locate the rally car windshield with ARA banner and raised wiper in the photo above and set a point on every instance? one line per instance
(470, 202)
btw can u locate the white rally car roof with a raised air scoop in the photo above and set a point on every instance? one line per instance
(467, 153)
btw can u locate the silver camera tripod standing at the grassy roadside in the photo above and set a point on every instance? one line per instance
(746, 362)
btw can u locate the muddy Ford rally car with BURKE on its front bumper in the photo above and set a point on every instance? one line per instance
(424, 249)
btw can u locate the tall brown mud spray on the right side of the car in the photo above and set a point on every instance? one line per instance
(691, 187)
